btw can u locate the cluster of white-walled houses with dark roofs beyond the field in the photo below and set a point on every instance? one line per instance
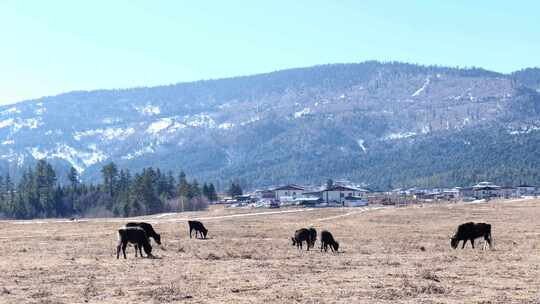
(347, 194)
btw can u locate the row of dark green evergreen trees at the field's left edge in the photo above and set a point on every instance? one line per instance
(38, 193)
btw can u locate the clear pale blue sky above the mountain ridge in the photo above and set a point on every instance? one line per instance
(49, 47)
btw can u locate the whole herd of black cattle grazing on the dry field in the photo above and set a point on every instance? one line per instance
(139, 234)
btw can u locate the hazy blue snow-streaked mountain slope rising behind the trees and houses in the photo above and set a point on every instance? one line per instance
(294, 125)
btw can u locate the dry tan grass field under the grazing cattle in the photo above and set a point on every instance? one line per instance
(394, 255)
